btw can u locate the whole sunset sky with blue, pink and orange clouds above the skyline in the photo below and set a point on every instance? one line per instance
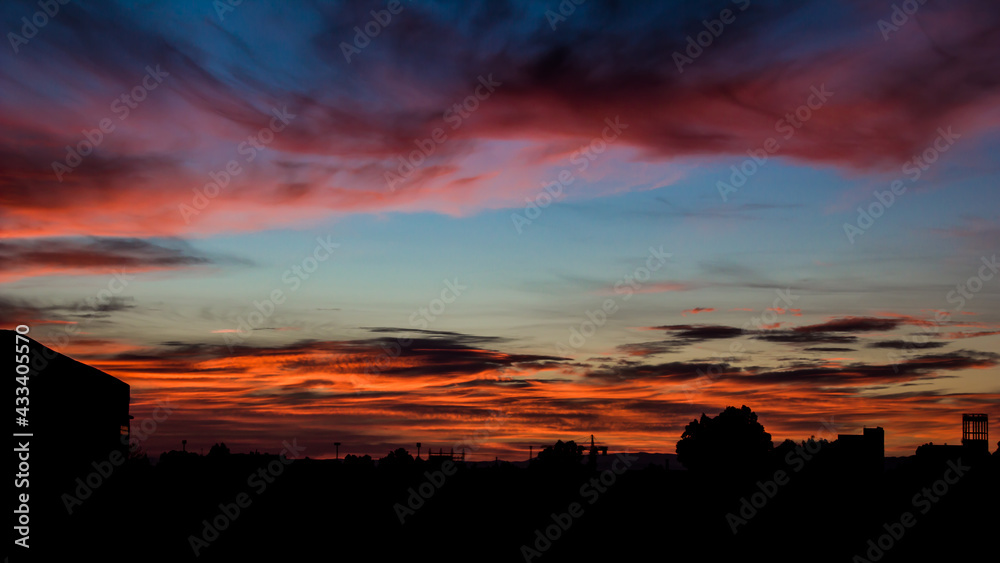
(499, 224)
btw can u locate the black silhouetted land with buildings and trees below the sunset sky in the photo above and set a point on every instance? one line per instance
(729, 490)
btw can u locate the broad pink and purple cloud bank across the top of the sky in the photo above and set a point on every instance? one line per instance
(354, 120)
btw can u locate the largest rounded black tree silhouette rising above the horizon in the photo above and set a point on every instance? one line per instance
(731, 442)
